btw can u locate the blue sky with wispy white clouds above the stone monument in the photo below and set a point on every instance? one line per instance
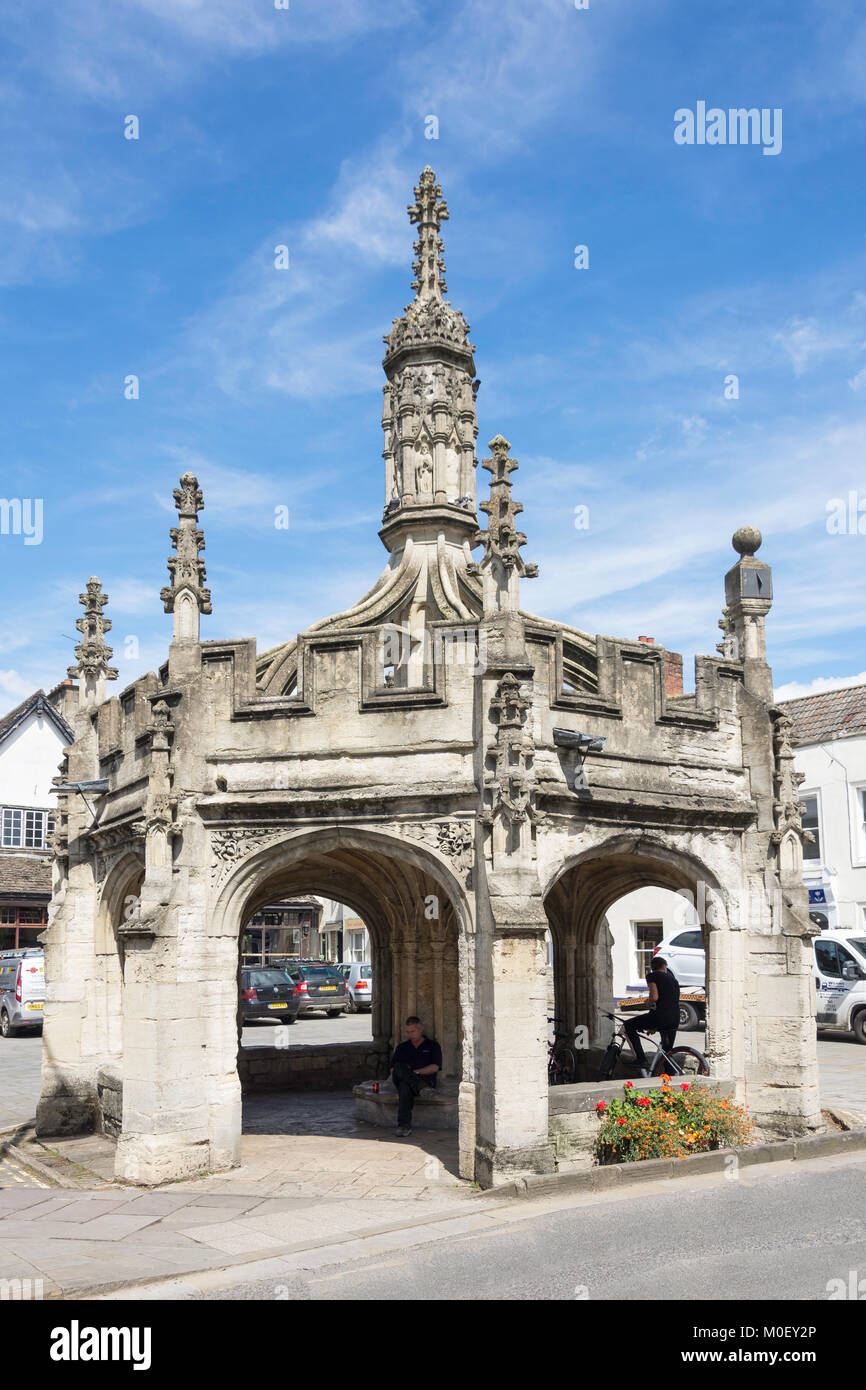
(307, 127)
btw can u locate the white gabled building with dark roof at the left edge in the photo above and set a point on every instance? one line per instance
(33, 739)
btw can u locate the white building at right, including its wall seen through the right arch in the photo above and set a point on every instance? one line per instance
(829, 739)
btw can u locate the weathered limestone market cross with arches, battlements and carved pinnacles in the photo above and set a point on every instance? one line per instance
(418, 757)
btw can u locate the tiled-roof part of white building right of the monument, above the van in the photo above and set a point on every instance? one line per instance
(829, 737)
